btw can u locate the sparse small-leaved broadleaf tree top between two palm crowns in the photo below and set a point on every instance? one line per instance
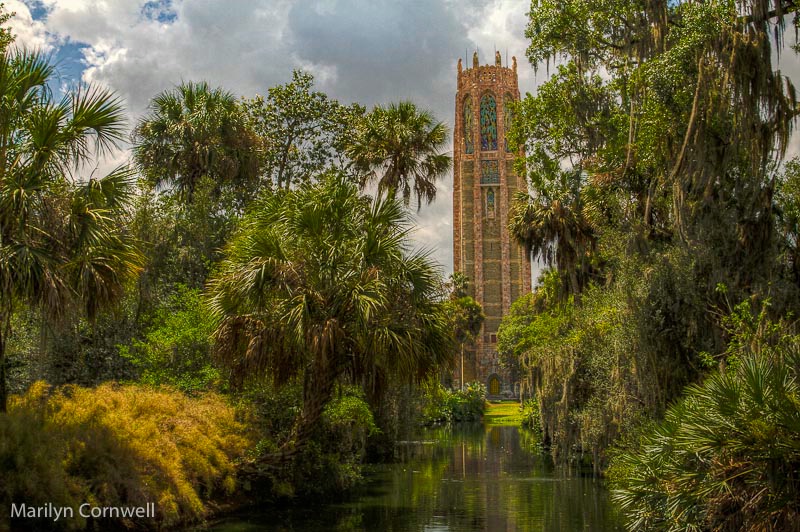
(301, 133)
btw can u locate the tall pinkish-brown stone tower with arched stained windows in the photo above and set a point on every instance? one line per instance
(484, 184)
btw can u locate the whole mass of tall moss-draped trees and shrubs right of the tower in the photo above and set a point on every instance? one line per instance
(651, 153)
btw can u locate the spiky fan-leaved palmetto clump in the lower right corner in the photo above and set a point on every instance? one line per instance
(725, 456)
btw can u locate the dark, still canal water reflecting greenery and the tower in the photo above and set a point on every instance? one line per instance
(462, 478)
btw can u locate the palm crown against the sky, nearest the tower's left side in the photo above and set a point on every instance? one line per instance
(400, 146)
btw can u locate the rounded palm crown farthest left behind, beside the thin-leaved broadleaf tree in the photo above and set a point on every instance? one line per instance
(192, 132)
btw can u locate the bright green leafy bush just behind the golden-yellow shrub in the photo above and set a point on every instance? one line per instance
(176, 349)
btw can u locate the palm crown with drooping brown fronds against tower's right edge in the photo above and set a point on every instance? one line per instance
(555, 227)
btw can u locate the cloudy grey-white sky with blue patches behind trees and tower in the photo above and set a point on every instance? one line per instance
(366, 51)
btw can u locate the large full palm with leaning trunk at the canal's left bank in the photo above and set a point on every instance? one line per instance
(319, 283)
